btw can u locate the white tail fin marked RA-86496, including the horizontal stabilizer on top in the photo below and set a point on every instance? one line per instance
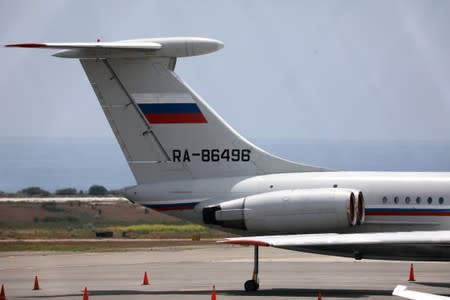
(165, 130)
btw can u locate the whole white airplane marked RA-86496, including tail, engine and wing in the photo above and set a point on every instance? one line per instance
(189, 163)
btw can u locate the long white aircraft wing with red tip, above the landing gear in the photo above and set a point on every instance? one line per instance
(335, 239)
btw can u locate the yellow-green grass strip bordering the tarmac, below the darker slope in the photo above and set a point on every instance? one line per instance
(168, 235)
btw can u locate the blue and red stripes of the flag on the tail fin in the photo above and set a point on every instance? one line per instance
(172, 113)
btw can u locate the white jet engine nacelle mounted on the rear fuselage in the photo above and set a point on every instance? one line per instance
(290, 211)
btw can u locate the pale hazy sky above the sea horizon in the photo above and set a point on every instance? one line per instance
(377, 70)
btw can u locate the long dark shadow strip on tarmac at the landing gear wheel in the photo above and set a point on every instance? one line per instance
(335, 293)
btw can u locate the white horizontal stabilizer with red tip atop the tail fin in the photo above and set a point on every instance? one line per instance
(140, 48)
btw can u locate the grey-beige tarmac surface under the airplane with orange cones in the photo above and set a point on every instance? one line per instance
(189, 272)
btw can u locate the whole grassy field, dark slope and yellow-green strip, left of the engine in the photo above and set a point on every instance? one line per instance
(63, 221)
